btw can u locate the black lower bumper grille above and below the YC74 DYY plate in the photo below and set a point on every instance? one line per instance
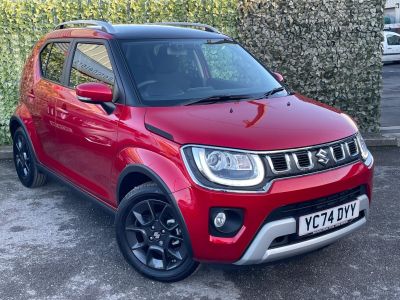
(304, 208)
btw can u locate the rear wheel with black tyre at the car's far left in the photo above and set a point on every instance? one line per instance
(25, 162)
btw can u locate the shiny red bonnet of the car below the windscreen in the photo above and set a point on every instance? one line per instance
(269, 124)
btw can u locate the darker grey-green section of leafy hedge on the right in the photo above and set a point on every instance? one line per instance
(328, 50)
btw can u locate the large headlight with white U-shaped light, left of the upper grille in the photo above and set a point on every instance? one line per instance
(228, 168)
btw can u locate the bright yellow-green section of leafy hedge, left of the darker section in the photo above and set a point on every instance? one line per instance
(22, 23)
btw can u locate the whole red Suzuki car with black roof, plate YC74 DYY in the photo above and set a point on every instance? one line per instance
(203, 154)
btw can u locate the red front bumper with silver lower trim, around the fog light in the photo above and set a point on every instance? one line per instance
(195, 203)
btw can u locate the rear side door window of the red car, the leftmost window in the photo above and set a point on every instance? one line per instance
(52, 59)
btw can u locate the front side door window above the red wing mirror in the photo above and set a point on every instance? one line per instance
(91, 63)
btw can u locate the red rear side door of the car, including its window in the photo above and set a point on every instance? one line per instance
(44, 95)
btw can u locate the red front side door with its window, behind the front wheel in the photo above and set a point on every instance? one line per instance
(87, 132)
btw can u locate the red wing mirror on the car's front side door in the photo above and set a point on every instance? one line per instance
(94, 92)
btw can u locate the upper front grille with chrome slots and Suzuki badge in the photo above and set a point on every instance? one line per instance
(311, 159)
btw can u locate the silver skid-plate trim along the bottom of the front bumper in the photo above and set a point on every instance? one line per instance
(259, 251)
